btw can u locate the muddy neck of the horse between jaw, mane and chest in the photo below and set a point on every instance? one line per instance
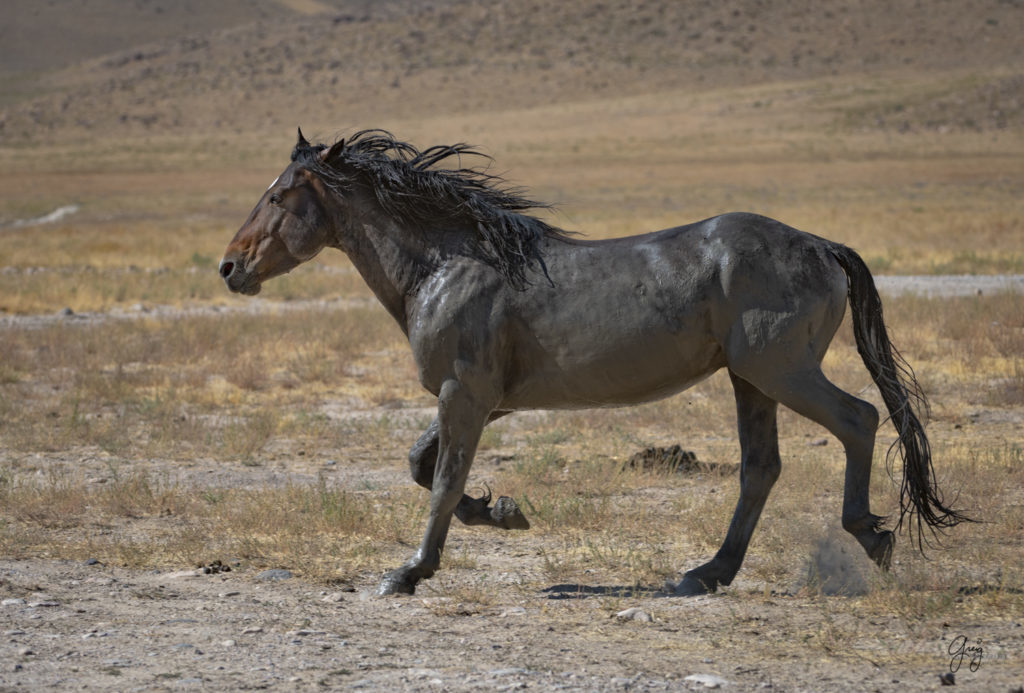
(393, 262)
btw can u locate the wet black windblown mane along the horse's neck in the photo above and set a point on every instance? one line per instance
(415, 189)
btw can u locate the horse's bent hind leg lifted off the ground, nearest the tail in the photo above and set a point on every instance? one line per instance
(855, 422)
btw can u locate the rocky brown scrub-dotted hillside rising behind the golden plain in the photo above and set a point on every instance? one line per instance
(247, 66)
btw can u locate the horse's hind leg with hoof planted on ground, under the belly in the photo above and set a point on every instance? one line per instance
(759, 469)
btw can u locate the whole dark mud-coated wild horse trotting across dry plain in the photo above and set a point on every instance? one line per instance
(505, 313)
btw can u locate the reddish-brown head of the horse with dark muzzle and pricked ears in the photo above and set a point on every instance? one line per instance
(290, 225)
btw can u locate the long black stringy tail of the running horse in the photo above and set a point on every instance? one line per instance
(921, 501)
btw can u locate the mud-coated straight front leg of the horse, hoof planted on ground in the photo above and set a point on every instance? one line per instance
(461, 418)
